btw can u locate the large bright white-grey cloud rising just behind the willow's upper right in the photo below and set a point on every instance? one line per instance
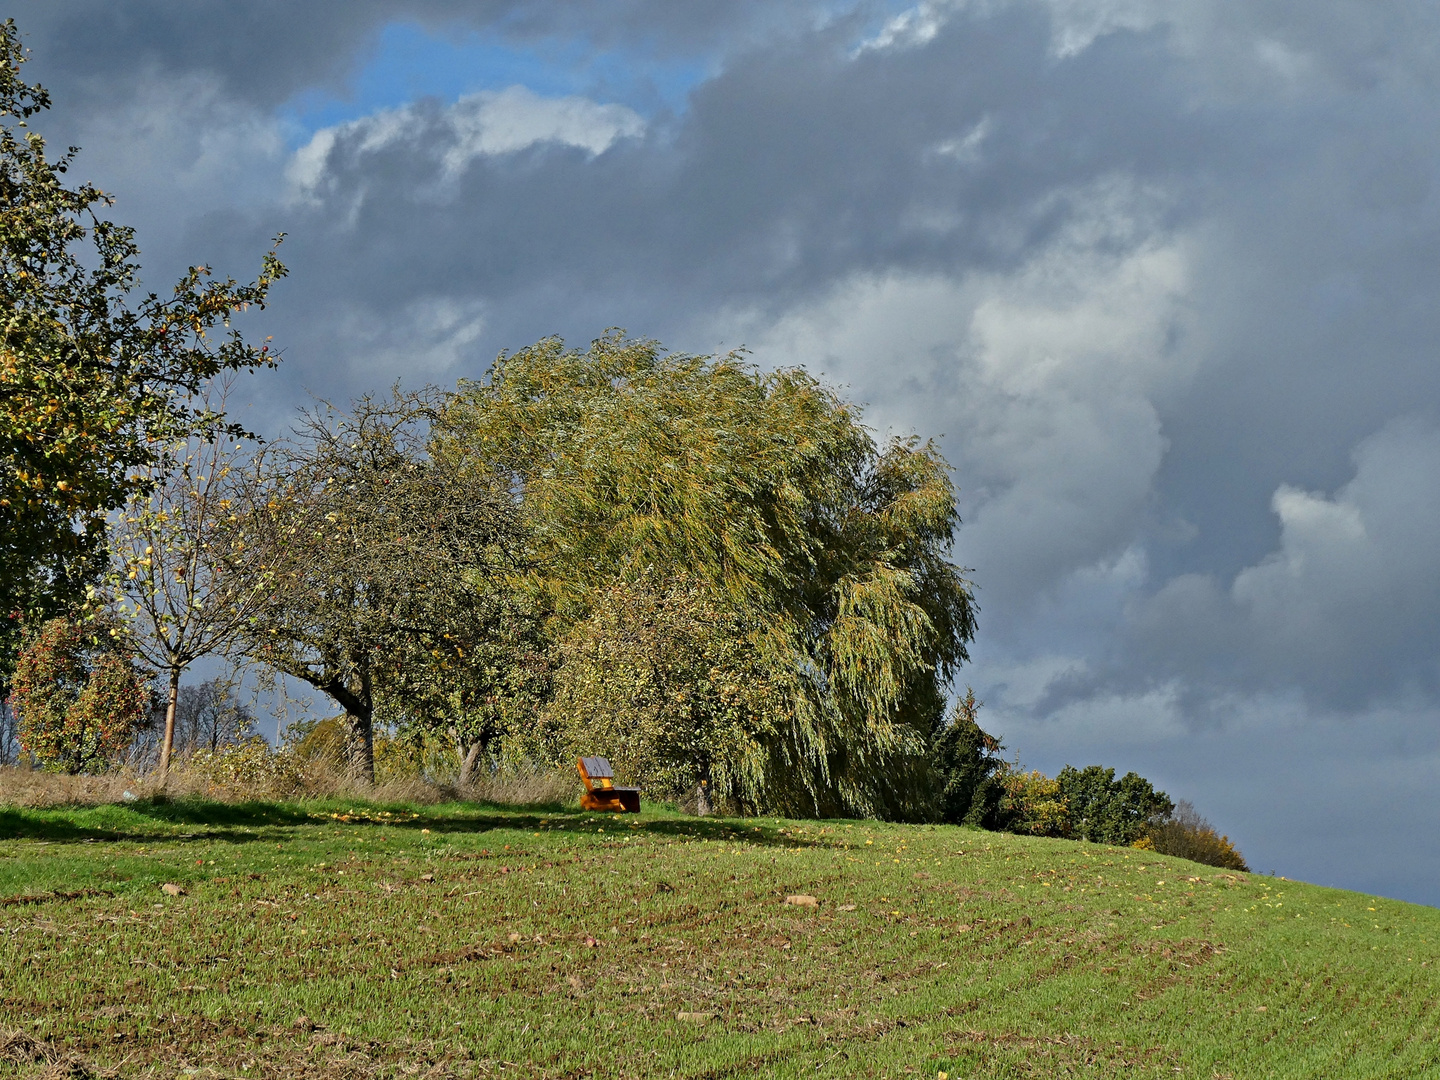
(1042, 381)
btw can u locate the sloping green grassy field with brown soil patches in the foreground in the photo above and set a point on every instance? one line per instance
(348, 940)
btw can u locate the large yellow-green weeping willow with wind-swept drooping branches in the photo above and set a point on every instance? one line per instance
(827, 555)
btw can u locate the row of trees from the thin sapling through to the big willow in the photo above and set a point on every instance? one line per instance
(708, 572)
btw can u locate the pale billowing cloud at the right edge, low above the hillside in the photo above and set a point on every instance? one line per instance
(1346, 610)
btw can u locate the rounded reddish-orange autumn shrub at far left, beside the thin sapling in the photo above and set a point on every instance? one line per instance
(78, 699)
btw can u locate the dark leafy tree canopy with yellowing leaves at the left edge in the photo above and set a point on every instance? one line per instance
(91, 382)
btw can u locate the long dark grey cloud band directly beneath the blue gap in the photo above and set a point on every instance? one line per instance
(790, 171)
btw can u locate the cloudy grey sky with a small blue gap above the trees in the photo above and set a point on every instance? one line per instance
(1160, 276)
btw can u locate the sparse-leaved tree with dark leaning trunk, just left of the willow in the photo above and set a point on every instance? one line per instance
(390, 572)
